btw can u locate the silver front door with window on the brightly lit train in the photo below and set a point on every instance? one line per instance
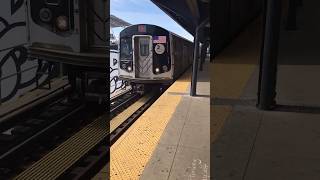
(142, 56)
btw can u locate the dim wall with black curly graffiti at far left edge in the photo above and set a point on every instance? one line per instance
(17, 73)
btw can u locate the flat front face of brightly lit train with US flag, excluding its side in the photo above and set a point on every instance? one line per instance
(145, 54)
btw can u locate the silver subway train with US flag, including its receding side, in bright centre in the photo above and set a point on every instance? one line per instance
(150, 54)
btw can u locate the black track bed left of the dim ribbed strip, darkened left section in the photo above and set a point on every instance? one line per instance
(33, 135)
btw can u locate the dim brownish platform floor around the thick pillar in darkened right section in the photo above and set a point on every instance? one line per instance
(251, 144)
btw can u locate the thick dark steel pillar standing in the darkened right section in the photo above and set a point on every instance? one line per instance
(269, 55)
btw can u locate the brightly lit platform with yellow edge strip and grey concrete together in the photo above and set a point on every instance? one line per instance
(171, 139)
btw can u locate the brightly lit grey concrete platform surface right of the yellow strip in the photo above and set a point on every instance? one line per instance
(183, 151)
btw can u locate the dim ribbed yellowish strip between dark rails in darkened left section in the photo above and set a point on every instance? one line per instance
(56, 162)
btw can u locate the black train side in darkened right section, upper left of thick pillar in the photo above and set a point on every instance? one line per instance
(229, 17)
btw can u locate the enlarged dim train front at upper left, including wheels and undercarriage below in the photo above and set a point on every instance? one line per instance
(72, 34)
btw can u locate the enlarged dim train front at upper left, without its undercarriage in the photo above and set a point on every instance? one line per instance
(69, 31)
